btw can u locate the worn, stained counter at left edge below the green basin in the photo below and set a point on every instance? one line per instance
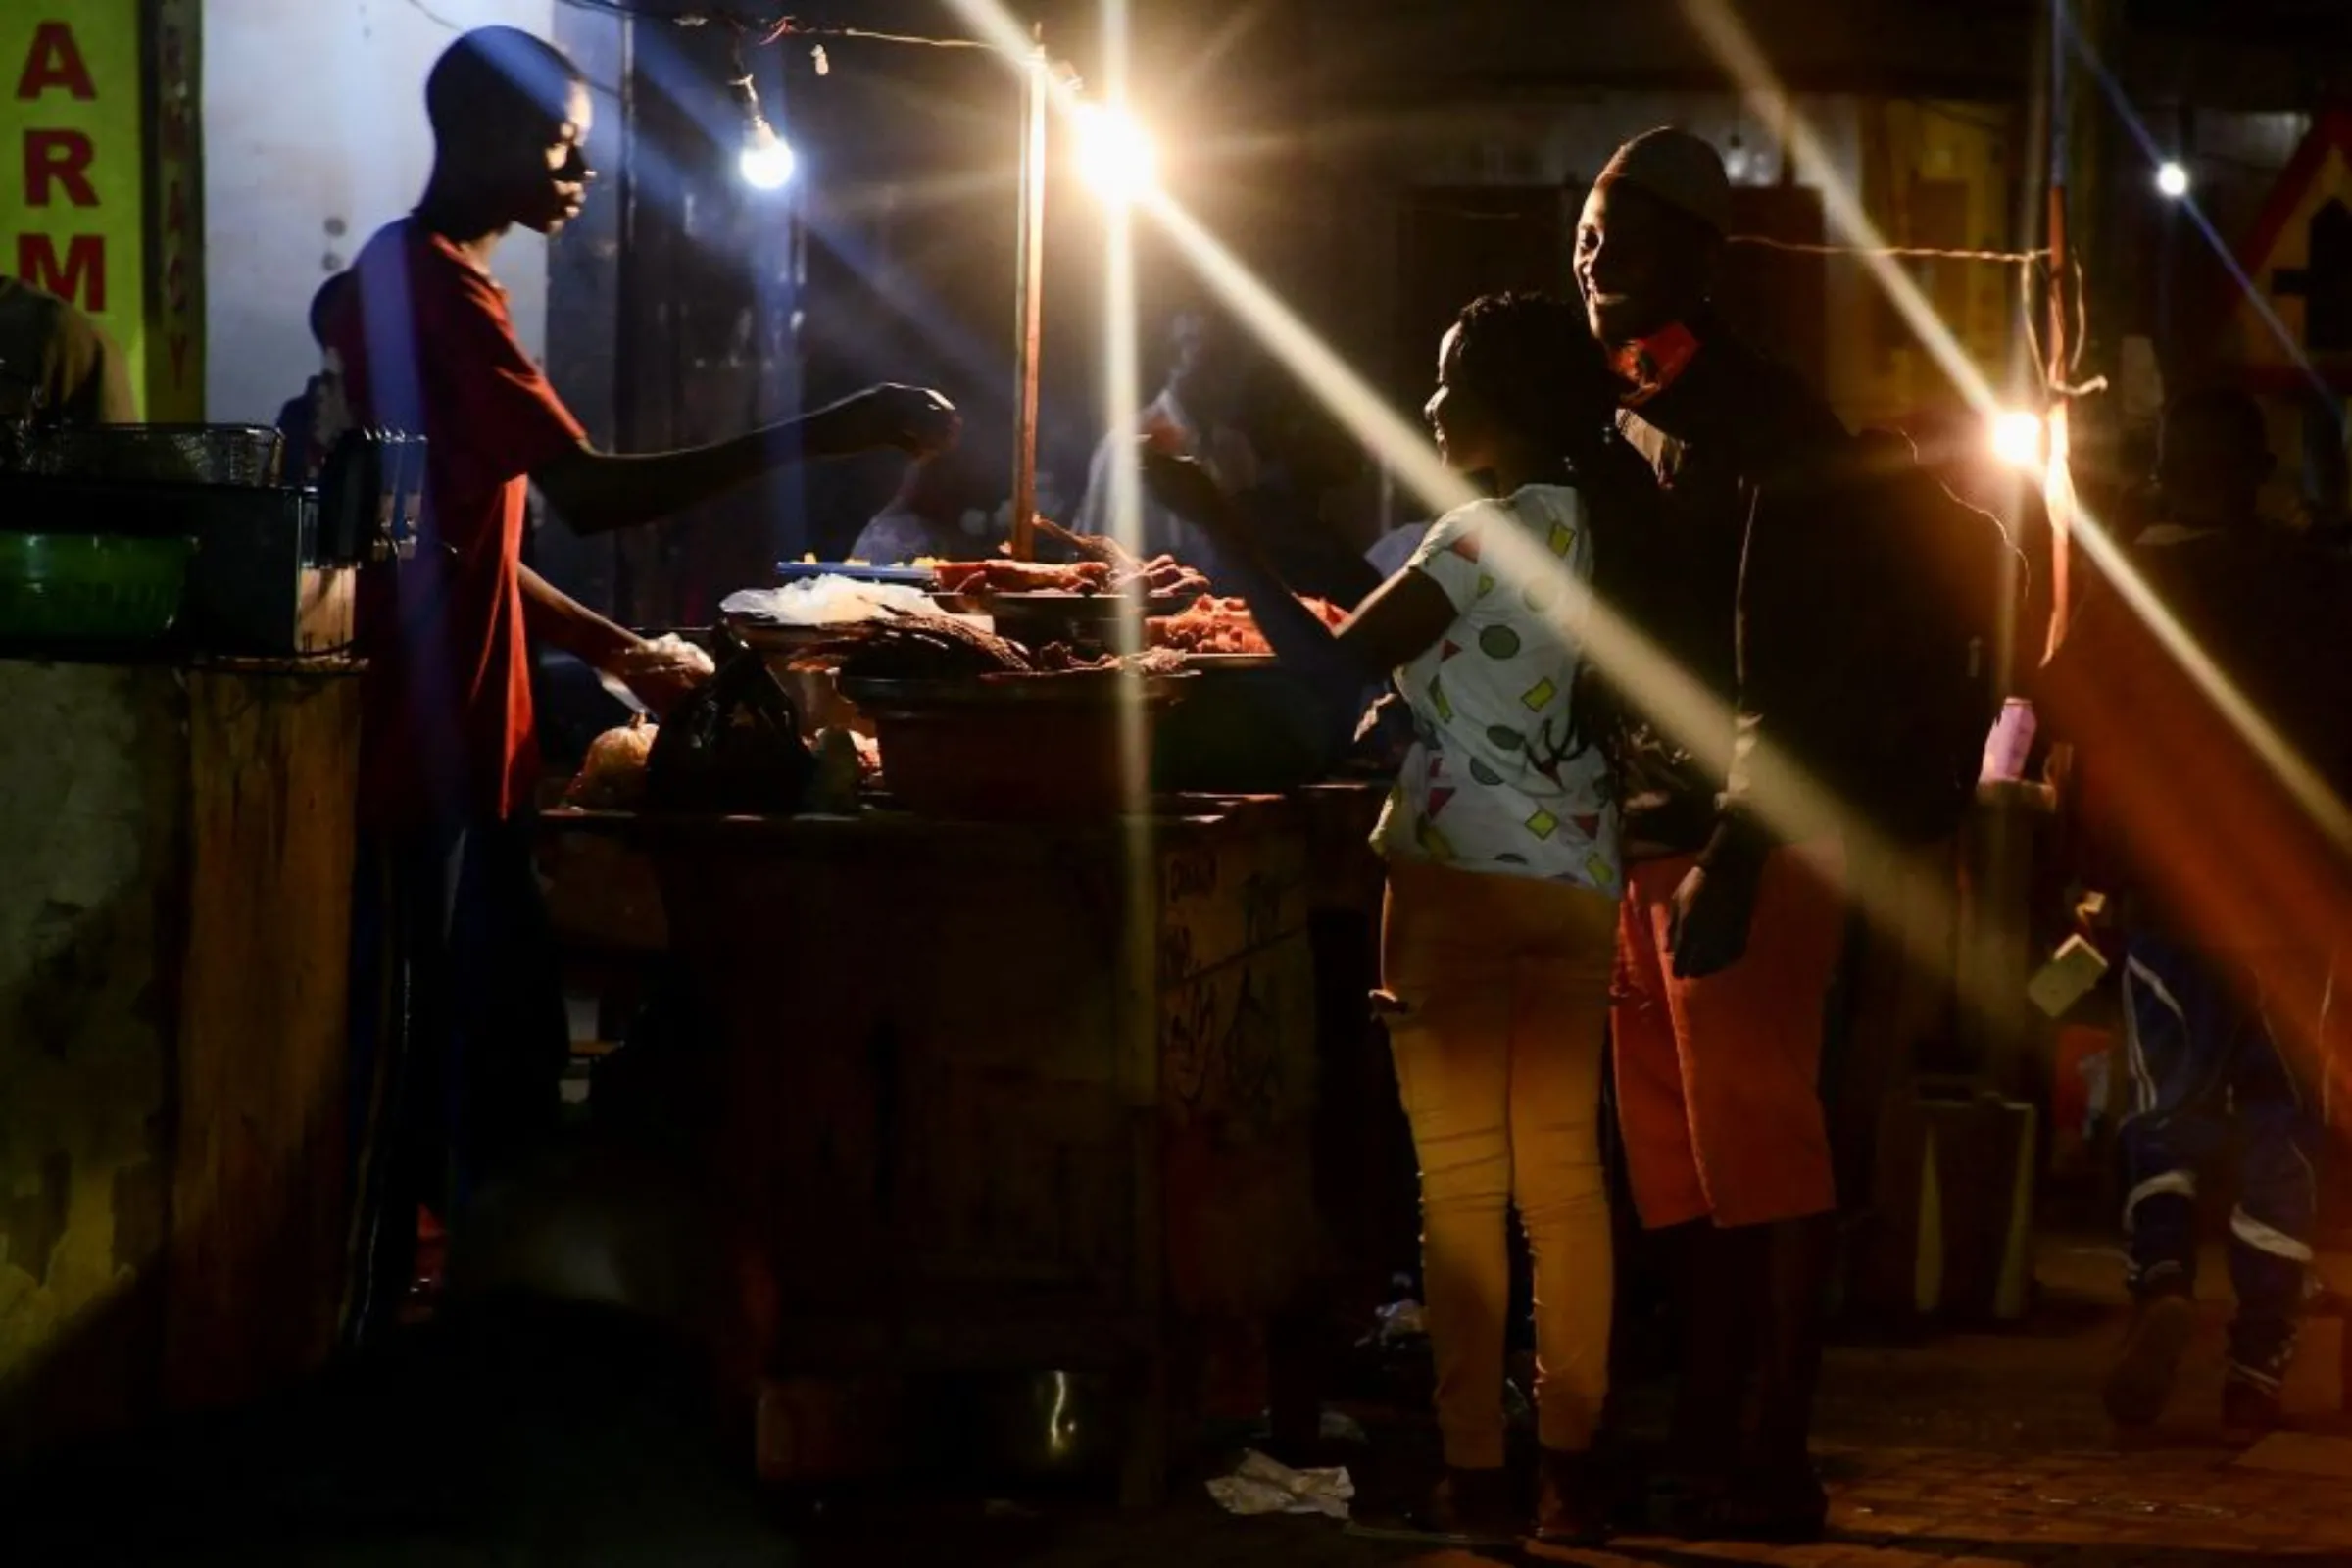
(173, 1019)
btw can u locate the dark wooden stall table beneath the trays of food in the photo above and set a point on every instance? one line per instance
(1008, 1094)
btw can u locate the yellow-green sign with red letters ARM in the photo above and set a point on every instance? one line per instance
(74, 161)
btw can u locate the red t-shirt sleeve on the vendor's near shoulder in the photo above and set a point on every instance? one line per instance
(500, 417)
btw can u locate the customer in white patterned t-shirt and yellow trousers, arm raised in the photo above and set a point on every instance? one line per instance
(1504, 880)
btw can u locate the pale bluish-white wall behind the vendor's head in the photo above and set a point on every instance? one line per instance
(314, 138)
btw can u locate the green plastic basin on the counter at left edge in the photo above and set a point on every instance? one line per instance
(91, 587)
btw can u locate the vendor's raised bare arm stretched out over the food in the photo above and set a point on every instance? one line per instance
(596, 492)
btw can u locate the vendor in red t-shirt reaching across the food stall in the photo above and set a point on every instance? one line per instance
(448, 760)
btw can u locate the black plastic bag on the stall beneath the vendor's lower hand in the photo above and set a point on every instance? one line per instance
(735, 746)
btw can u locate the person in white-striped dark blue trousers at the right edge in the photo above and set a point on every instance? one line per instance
(2224, 1014)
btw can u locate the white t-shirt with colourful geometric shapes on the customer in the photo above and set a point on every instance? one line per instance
(1499, 777)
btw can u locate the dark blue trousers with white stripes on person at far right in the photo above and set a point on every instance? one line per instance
(2210, 1083)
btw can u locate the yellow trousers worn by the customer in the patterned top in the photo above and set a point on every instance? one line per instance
(1497, 996)
